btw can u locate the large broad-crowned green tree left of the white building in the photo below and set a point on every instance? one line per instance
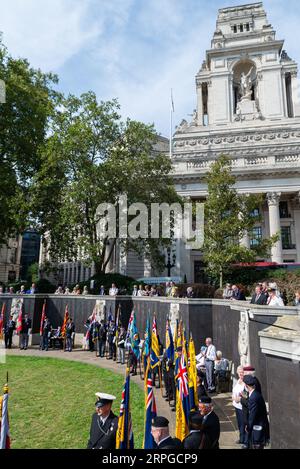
(92, 157)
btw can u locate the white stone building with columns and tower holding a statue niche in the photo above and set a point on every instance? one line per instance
(248, 109)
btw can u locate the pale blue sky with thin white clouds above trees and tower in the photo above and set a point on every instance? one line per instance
(133, 50)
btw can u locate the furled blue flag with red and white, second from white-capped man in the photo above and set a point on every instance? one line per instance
(150, 409)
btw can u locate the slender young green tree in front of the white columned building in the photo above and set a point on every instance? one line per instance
(228, 216)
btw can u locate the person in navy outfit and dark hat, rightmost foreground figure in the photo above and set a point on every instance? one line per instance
(257, 420)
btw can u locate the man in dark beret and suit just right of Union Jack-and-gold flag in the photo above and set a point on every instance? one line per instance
(210, 424)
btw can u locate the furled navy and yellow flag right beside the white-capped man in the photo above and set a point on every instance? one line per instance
(124, 437)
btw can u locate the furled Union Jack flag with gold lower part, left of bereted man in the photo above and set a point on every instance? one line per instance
(182, 393)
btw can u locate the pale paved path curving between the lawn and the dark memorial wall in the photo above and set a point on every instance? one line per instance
(222, 402)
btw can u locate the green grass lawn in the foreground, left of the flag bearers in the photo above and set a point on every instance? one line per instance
(52, 401)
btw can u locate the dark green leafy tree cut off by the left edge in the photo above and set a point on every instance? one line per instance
(30, 98)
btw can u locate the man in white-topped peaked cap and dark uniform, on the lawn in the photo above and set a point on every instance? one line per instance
(104, 424)
